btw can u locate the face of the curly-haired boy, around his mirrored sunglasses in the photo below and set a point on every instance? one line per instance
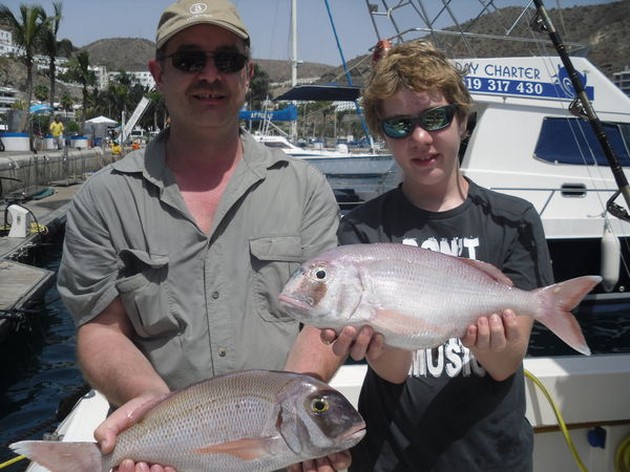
(427, 158)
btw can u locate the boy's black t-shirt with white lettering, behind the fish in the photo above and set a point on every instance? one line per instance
(450, 415)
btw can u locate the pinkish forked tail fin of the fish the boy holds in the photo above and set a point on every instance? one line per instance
(559, 300)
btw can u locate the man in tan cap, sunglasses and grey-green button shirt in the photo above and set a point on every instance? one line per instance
(174, 256)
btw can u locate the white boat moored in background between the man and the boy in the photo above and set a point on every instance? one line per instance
(337, 163)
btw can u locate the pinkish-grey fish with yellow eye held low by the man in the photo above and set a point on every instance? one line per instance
(240, 422)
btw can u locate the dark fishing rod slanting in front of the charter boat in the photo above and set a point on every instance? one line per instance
(582, 107)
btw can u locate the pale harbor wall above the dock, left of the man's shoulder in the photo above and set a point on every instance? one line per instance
(22, 171)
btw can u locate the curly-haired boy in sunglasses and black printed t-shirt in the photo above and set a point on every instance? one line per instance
(462, 406)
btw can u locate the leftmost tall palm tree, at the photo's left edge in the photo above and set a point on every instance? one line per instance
(26, 34)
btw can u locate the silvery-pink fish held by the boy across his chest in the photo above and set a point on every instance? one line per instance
(419, 298)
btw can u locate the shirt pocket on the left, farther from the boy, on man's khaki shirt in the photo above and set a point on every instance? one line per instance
(144, 293)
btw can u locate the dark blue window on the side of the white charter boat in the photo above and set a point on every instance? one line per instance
(573, 141)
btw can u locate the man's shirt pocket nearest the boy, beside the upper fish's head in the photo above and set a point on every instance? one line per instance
(274, 259)
